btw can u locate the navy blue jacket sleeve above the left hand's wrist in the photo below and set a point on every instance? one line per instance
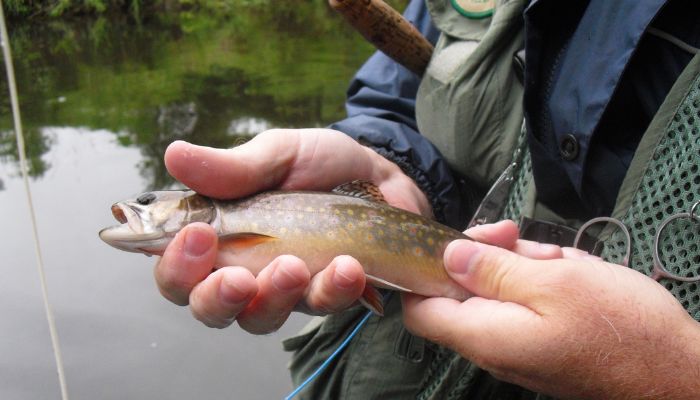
(381, 115)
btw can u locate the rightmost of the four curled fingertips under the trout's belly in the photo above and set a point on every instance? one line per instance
(336, 287)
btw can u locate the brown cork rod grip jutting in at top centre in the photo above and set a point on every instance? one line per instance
(387, 30)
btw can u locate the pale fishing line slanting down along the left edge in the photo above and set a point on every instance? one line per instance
(5, 42)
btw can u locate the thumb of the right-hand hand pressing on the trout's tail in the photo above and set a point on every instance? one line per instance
(492, 272)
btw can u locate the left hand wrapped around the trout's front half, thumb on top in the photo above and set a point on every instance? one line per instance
(311, 159)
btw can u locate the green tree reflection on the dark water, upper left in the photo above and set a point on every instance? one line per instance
(210, 81)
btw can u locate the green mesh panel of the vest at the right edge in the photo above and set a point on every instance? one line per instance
(670, 185)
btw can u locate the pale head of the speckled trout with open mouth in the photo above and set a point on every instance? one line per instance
(150, 221)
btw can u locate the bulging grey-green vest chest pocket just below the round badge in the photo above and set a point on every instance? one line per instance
(470, 94)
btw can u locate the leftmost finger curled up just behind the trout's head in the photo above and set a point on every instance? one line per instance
(187, 260)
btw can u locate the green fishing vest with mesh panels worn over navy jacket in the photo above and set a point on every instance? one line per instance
(384, 360)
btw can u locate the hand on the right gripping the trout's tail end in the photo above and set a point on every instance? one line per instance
(561, 322)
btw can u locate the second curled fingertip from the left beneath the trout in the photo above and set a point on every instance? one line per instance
(218, 299)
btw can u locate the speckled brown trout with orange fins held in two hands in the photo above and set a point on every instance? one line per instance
(398, 250)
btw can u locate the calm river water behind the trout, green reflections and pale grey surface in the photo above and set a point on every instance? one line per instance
(100, 101)
